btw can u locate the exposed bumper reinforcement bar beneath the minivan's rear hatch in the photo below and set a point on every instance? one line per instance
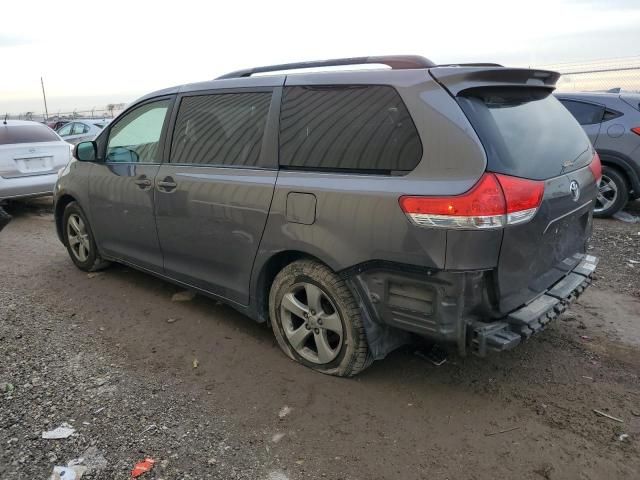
(534, 316)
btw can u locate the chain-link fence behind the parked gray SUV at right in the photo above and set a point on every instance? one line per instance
(600, 75)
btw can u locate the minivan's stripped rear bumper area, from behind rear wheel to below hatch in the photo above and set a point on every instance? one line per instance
(453, 307)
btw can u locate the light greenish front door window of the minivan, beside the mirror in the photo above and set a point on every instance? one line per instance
(136, 136)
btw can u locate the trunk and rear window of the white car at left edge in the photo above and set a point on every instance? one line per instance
(31, 149)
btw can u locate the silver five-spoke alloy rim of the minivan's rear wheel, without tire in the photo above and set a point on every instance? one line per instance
(311, 323)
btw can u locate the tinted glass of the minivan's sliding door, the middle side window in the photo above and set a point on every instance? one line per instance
(221, 129)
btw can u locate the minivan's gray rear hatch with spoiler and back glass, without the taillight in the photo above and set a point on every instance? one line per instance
(528, 134)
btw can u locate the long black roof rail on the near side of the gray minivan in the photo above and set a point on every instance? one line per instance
(396, 62)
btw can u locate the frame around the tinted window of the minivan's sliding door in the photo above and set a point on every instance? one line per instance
(272, 127)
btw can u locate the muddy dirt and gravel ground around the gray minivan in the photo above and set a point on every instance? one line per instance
(114, 357)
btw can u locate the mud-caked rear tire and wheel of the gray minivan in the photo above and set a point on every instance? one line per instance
(316, 320)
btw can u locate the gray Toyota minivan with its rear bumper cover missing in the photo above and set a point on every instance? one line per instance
(350, 209)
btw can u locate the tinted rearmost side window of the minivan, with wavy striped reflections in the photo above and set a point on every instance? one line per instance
(350, 128)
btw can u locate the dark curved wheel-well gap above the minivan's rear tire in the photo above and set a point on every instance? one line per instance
(267, 273)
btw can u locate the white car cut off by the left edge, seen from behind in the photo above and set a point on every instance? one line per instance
(30, 156)
